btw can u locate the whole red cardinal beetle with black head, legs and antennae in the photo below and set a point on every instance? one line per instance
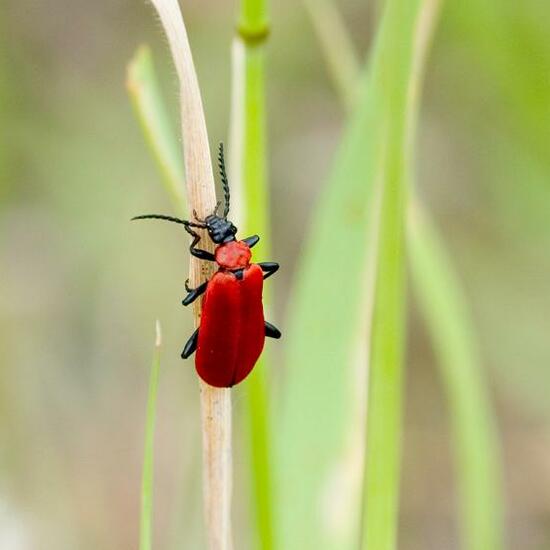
(232, 332)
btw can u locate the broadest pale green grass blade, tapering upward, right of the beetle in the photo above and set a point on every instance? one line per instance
(326, 322)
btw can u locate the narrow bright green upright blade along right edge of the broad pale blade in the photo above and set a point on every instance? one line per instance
(384, 417)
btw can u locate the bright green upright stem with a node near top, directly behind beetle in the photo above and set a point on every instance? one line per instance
(249, 177)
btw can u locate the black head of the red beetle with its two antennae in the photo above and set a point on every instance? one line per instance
(219, 228)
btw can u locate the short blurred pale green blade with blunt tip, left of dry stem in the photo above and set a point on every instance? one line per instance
(144, 91)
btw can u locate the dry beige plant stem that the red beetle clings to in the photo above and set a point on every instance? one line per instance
(201, 196)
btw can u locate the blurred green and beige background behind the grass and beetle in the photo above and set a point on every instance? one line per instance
(81, 287)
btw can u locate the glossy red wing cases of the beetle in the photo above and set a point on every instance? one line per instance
(232, 329)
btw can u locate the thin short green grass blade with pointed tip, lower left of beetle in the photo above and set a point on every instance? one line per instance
(145, 525)
